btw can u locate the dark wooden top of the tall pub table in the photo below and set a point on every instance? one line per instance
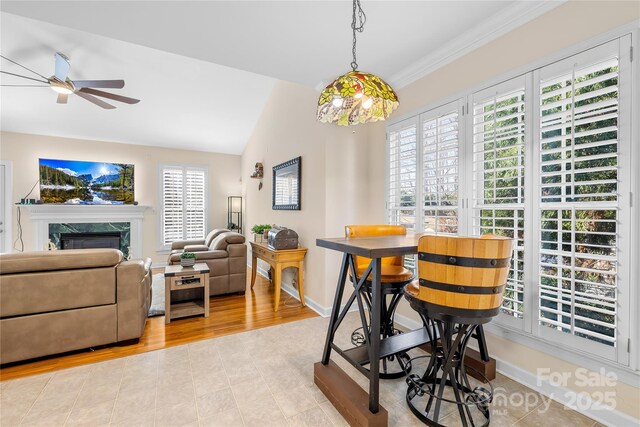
(373, 247)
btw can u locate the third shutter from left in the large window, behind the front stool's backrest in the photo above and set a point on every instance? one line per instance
(499, 179)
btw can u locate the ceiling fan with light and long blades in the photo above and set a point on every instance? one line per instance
(64, 86)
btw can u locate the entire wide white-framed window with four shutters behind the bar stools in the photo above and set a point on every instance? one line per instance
(549, 161)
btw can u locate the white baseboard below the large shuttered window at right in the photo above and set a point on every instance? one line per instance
(578, 401)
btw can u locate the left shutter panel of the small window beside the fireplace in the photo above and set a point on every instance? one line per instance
(172, 205)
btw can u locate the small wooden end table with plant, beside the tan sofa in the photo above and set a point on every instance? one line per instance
(176, 278)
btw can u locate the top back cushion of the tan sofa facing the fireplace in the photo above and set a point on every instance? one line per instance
(58, 260)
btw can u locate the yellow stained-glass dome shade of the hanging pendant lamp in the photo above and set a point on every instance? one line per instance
(356, 98)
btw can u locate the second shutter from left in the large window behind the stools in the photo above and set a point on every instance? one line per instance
(440, 169)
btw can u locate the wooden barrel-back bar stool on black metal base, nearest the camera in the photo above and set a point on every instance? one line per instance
(460, 287)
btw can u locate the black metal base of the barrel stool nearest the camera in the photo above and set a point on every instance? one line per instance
(446, 370)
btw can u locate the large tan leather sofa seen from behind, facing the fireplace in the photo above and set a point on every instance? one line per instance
(59, 301)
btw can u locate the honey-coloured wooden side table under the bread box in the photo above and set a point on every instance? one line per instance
(278, 260)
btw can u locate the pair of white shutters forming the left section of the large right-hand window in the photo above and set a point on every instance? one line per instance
(425, 150)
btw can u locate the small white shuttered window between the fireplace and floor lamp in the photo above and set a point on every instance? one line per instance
(183, 193)
